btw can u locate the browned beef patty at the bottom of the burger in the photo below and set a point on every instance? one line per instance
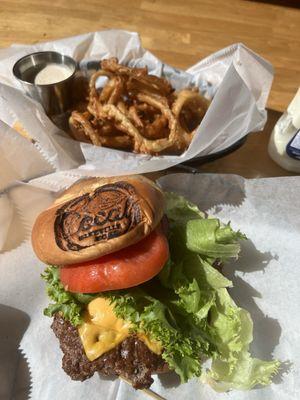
(131, 358)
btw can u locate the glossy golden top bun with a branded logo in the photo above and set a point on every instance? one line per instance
(95, 217)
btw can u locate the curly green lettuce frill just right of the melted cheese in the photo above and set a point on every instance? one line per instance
(163, 324)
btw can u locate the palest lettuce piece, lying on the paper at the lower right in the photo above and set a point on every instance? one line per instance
(233, 367)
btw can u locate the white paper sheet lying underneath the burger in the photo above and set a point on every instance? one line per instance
(265, 278)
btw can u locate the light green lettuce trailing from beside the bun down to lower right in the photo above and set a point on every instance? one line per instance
(202, 292)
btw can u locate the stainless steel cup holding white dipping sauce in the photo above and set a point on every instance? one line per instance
(55, 97)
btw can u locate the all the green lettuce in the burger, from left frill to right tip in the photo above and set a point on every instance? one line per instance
(187, 306)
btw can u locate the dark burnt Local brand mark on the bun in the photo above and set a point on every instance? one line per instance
(108, 212)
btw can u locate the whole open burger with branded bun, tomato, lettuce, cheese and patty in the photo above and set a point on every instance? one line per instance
(133, 274)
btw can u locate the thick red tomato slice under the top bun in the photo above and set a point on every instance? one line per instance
(123, 269)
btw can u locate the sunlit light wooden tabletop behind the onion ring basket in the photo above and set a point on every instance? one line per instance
(180, 32)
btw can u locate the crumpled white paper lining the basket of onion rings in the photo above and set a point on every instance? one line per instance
(237, 79)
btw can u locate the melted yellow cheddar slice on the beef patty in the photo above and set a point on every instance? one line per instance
(101, 330)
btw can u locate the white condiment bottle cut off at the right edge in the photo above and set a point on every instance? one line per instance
(286, 130)
